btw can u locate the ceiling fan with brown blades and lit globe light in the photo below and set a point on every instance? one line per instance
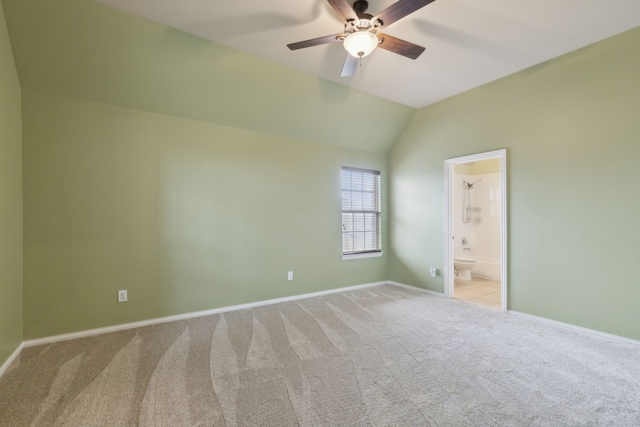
(361, 37)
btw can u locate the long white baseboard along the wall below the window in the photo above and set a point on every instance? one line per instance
(132, 325)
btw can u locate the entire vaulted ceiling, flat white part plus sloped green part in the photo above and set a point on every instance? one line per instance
(226, 61)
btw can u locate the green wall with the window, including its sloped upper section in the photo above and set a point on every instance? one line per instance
(189, 173)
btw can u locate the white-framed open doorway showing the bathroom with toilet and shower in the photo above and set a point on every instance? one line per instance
(476, 228)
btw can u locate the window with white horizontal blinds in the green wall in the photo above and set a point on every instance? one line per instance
(360, 212)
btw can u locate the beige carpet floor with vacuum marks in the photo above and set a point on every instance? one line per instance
(383, 356)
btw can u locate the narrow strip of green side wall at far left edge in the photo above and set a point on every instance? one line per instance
(10, 200)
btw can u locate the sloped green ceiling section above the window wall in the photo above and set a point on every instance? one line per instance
(82, 49)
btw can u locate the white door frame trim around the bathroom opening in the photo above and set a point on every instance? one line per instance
(448, 219)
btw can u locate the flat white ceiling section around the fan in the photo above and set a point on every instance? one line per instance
(468, 42)
